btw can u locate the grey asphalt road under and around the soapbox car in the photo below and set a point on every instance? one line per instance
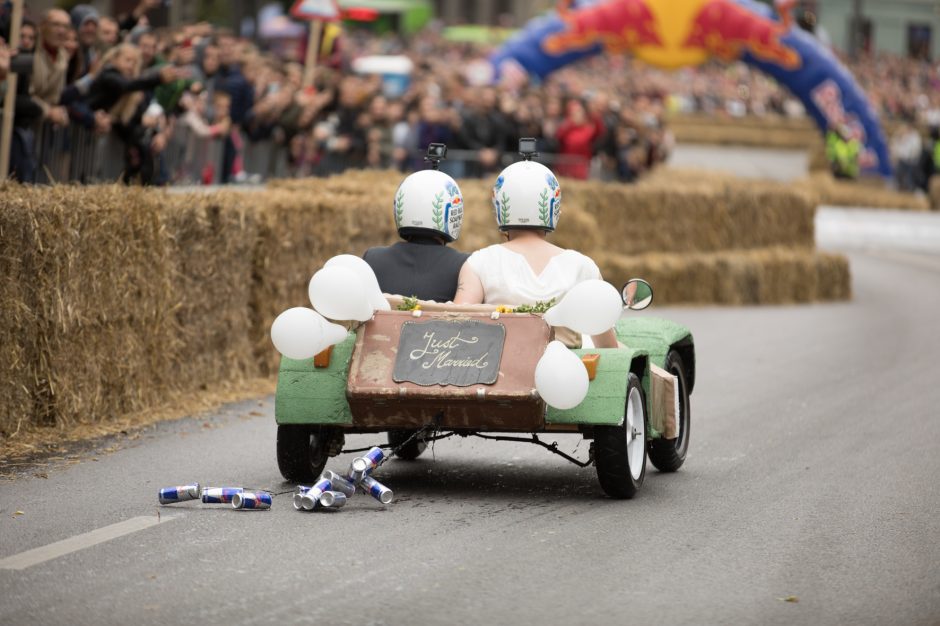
(812, 477)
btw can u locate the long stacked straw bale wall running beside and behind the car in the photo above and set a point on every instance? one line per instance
(116, 299)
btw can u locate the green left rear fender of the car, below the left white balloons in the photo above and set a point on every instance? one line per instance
(311, 395)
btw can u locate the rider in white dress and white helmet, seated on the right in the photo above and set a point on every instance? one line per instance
(526, 268)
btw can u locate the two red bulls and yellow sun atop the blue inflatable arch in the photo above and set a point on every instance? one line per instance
(673, 33)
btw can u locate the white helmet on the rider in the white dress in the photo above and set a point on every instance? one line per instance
(527, 195)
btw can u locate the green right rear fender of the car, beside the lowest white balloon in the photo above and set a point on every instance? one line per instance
(607, 393)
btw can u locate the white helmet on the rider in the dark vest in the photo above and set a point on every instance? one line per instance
(426, 202)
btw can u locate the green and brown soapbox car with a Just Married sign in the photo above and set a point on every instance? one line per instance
(419, 374)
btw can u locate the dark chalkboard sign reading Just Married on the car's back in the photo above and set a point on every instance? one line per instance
(460, 353)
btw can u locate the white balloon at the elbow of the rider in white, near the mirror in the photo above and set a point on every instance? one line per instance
(590, 307)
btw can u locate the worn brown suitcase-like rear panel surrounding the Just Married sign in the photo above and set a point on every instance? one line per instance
(509, 404)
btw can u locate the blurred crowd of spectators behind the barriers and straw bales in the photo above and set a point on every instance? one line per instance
(155, 100)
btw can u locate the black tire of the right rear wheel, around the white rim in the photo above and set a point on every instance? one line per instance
(610, 448)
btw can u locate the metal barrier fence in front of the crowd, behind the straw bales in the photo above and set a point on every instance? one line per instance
(79, 155)
